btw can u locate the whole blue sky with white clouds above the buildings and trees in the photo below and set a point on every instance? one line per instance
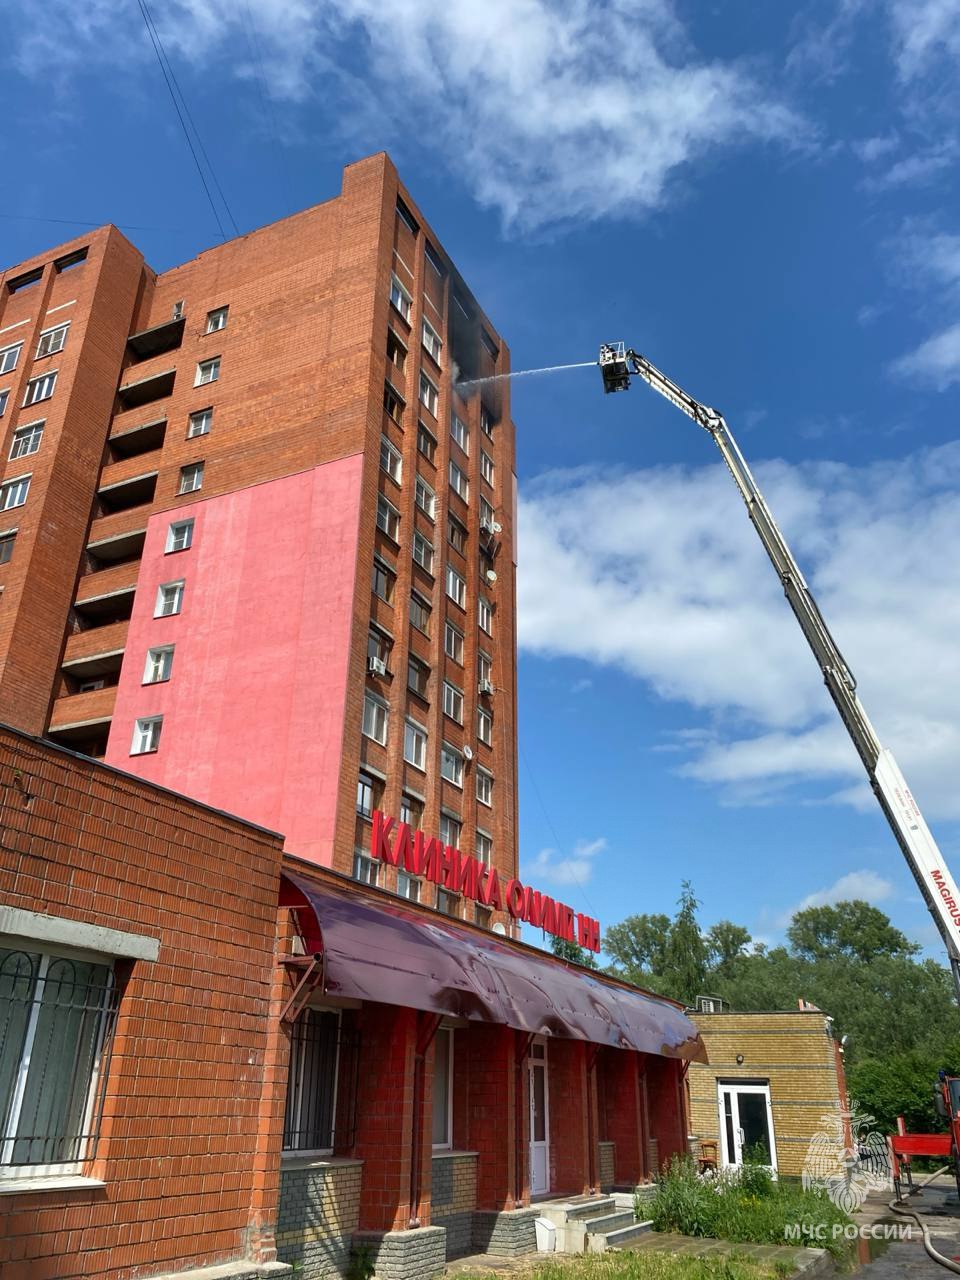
(764, 200)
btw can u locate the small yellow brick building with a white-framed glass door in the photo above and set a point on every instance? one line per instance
(771, 1081)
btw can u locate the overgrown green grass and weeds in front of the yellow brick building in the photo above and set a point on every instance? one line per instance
(749, 1209)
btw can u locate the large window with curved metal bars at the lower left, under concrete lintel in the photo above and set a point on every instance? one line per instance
(58, 1021)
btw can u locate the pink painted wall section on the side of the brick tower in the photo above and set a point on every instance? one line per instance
(254, 708)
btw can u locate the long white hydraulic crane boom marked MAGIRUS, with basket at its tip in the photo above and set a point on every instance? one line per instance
(924, 857)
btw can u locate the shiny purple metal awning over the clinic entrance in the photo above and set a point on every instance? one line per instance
(383, 950)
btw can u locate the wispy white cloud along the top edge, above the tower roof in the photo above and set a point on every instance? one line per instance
(550, 111)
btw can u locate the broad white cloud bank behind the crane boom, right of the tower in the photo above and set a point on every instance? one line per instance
(660, 575)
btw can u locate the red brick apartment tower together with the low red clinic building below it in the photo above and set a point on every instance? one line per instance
(258, 575)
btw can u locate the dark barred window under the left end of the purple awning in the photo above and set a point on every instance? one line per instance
(312, 1081)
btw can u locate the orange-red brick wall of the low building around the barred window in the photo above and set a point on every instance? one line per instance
(180, 1158)
